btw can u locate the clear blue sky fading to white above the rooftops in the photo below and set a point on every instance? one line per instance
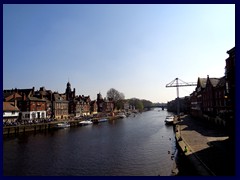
(136, 49)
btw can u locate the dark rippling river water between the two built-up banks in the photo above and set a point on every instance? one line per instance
(135, 146)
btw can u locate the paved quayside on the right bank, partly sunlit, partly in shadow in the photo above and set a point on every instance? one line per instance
(206, 146)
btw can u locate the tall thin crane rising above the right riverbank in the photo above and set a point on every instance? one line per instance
(176, 83)
